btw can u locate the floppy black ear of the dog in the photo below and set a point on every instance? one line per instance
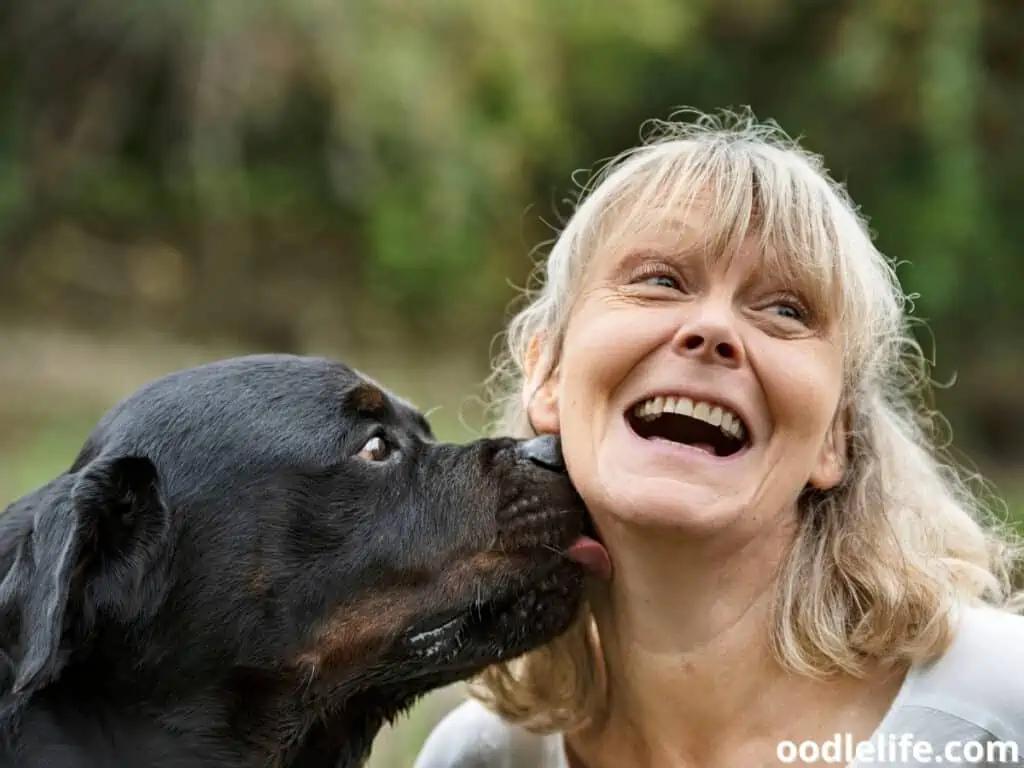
(84, 547)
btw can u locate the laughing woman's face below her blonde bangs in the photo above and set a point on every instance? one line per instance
(694, 396)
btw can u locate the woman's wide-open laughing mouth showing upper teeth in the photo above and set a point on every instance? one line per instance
(707, 426)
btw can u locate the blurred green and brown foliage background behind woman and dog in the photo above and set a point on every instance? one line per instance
(371, 176)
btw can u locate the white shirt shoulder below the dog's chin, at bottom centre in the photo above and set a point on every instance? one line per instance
(473, 737)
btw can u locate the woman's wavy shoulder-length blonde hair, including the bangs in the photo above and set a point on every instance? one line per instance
(880, 563)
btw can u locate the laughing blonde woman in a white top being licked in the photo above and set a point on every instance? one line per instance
(724, 355)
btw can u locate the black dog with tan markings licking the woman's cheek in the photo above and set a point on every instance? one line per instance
(260, 563)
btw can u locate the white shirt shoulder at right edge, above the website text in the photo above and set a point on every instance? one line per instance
(980, 679)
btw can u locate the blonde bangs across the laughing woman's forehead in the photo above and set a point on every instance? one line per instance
(774, 197)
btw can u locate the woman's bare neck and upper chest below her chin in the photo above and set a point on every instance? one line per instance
(692, 678)
